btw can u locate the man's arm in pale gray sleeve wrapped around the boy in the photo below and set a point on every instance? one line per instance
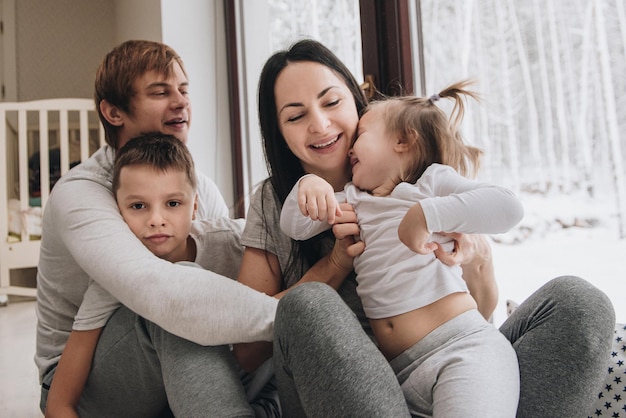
(195, 304)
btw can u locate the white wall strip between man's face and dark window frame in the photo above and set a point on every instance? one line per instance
(197, 33)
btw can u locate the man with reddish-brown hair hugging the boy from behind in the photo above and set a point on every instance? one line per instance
(141, 86)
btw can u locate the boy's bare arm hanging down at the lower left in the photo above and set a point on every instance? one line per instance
(71, 373)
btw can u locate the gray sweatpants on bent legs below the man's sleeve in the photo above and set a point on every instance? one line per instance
(139, 369)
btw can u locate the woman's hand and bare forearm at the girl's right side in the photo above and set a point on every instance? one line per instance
(473, 253)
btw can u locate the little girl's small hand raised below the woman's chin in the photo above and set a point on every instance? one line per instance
(316, 199)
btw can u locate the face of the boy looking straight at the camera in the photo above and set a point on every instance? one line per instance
(158, 207)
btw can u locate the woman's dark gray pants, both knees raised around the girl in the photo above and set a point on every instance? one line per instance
(327, 366)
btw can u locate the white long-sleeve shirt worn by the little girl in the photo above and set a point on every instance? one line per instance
(392, 278)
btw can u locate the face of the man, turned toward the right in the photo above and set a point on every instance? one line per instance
(160, 104)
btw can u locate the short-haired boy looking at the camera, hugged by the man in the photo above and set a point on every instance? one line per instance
(154, 184)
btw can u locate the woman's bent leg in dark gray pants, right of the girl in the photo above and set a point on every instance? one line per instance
(562, 335)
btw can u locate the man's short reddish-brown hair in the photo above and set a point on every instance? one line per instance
(120, 68)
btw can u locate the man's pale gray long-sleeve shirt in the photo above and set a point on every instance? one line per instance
(85, 238)
